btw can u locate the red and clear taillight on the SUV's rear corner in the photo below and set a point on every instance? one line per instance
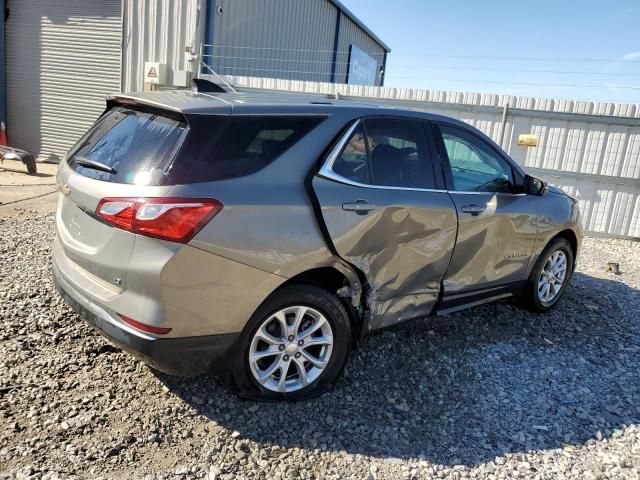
(174, 219)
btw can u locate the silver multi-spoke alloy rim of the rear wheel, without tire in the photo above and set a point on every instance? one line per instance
(290, 349)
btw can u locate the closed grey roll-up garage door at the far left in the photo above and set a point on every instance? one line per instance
(62, 59)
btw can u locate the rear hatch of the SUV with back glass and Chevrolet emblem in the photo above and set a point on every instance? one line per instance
(127, 153)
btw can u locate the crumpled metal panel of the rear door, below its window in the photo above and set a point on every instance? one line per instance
(403, 246)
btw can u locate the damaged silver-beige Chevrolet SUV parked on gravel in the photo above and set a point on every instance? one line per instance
(265, 234)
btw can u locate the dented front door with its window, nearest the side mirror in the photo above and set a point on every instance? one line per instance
(497, 222)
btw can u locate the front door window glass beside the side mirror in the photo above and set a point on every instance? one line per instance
(475, 165)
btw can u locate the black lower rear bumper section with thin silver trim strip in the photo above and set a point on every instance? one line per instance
(176, 356)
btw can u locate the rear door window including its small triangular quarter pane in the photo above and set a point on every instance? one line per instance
(388, 152)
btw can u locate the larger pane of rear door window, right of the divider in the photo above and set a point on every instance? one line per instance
(399, 155)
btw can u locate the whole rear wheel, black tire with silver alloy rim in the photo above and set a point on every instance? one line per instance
(318, 310)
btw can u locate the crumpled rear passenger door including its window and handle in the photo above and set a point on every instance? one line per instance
(387, 215)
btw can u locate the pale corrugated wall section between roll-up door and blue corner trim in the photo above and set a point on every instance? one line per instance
(156, 31)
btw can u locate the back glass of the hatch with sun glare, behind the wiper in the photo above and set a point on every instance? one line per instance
(137, 144)
